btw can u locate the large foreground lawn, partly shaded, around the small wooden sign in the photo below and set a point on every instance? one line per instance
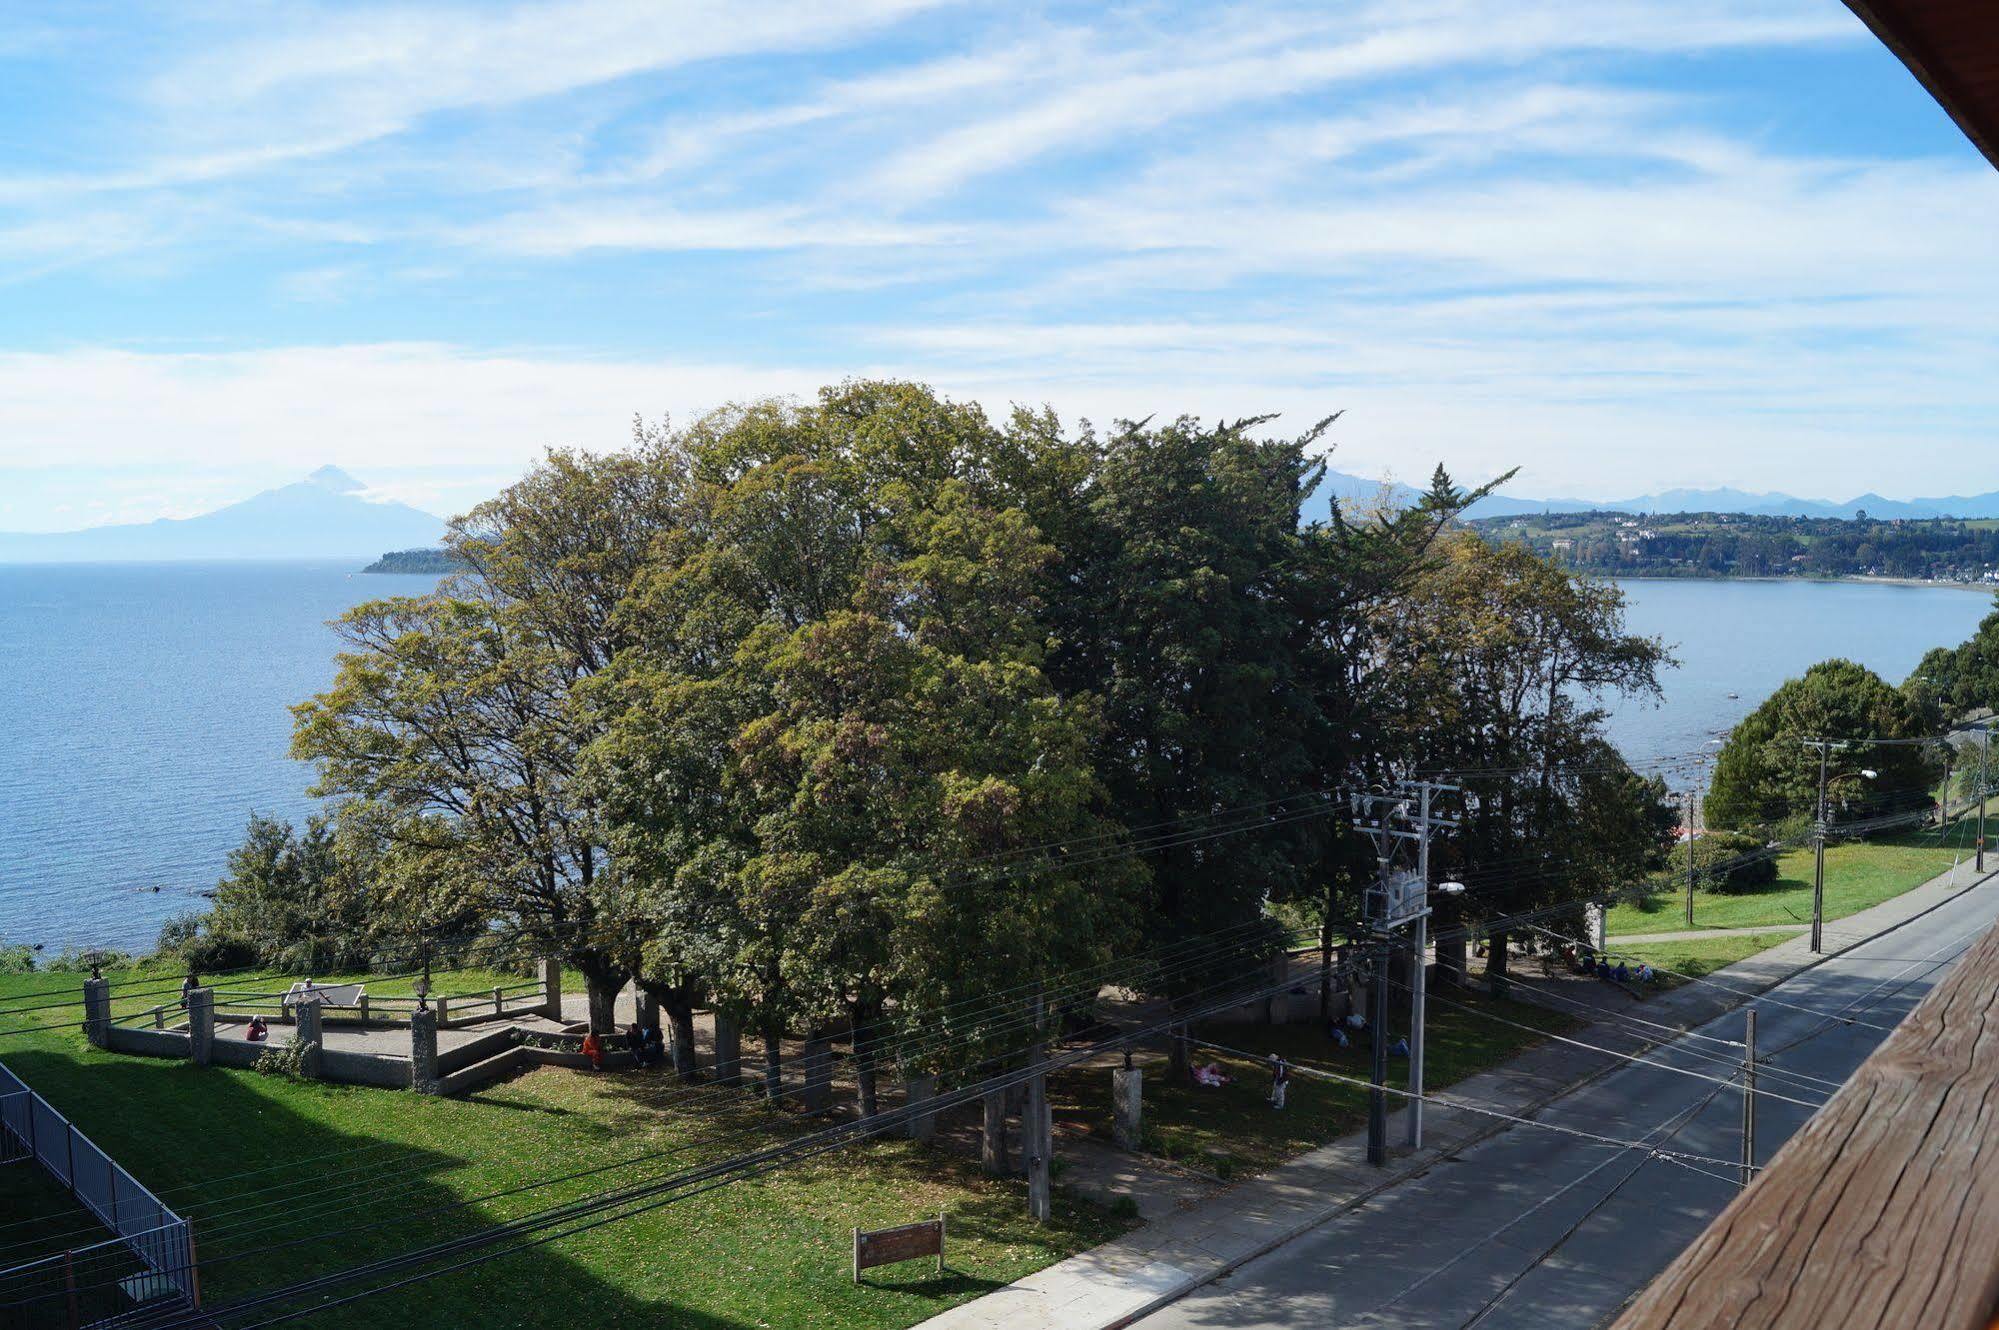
(337, 1175)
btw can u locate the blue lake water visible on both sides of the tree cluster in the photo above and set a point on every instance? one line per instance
(143, 711)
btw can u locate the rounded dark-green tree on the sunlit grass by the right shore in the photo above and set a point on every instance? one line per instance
(1768, 775)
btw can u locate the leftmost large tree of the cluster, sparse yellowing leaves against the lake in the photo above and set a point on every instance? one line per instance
(457, 721)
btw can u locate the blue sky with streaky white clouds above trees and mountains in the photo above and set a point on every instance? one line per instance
(1622, 245)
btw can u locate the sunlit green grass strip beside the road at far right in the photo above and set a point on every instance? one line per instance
(1858, 875)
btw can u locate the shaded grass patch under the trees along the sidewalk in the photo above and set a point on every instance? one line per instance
(1234, 1131)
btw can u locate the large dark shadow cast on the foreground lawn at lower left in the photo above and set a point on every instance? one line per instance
(277, 1195)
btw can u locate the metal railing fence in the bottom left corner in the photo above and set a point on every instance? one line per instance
(151, 1239)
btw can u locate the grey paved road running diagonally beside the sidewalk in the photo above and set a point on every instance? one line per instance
(1536, 1229)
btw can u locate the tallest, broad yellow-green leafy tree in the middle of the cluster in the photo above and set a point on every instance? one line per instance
(835, 711)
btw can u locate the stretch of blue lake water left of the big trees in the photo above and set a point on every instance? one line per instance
(143, 719)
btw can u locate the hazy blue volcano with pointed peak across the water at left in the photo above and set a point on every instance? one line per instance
(327, 515)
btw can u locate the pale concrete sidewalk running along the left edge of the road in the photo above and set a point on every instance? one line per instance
(1144, 1271)
